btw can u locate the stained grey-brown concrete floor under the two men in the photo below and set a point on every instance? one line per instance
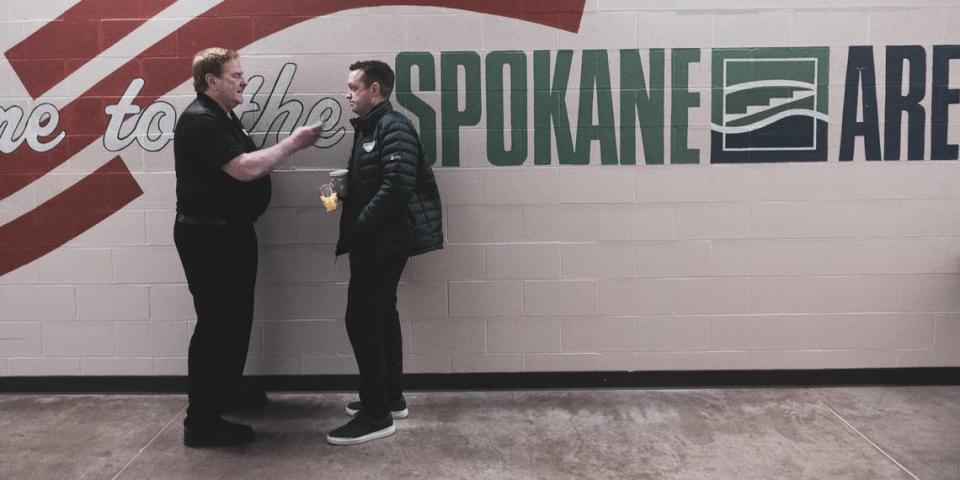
(830, 433)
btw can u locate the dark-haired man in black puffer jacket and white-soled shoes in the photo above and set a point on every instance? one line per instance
(391, 212)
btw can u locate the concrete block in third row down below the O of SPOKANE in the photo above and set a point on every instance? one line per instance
(522, 261)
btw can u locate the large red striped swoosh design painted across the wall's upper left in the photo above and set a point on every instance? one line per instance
(82, 33)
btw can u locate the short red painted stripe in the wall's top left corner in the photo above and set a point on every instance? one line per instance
(75, 37)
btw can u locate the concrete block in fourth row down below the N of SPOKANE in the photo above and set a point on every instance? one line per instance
(636, 296)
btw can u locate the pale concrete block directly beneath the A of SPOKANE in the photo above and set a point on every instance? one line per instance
(598, 184)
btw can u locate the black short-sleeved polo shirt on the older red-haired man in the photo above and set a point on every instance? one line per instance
(204, 141)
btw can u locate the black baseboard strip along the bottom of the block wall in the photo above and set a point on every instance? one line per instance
(512, 380)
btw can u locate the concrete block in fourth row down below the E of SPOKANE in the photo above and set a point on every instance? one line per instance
(711, 295)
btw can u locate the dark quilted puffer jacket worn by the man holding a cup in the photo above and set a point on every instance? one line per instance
(392, 203)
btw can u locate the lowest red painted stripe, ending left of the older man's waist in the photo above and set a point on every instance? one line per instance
(67, 215)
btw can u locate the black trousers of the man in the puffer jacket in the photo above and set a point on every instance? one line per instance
(373, 326)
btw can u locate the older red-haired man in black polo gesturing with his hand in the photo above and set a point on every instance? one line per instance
(223, 186)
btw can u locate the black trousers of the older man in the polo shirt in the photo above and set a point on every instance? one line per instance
(220, 263)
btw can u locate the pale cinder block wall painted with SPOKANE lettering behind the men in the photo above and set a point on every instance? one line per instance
(557, 259)
